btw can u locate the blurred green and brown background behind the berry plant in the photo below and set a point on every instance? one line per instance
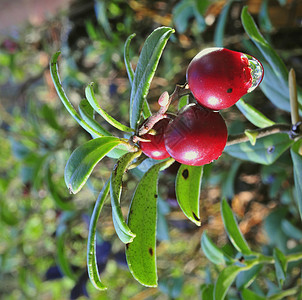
(42, 227)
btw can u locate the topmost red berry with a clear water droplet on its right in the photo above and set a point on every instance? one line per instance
(219, 77)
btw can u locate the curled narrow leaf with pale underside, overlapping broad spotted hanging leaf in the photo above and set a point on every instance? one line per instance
(121, 228)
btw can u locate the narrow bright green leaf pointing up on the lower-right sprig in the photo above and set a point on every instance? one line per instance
(232, 229)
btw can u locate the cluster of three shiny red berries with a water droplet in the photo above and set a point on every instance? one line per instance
(217, 78)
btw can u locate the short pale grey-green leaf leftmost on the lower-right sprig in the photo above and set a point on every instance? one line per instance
(212, 252)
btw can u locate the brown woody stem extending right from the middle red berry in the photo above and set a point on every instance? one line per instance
(261, 132)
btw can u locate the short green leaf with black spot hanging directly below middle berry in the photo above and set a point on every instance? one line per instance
(188, 182)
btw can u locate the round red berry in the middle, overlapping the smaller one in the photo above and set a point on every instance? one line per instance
(197, 136)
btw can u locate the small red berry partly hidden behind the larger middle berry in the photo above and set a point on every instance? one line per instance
(156, 147)
